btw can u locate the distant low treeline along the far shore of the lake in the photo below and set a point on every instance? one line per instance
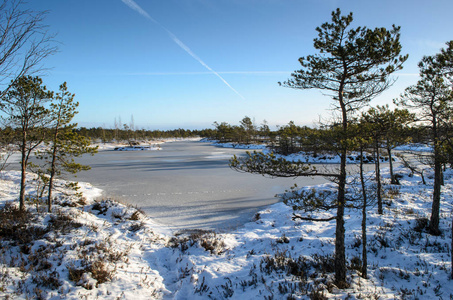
(285, 139)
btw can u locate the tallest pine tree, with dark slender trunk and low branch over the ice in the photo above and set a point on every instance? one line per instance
(353, 66)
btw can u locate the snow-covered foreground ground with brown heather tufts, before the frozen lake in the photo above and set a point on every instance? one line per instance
(101, 249)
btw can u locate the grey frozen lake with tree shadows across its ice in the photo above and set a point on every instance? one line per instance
(186, 185)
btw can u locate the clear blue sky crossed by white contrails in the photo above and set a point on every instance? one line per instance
(148, 62)
